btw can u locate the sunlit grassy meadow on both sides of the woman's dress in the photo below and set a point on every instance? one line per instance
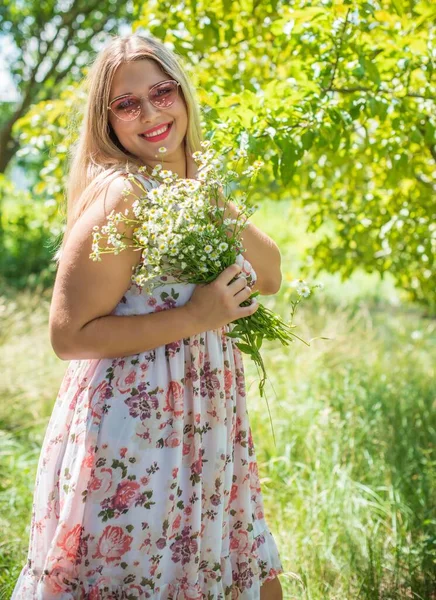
(350, 487)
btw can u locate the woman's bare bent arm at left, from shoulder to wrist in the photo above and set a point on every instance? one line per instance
(86, 292)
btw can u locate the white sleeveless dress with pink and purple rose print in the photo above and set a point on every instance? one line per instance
(147, 484)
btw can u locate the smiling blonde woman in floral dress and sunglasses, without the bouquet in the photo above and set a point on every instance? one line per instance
(147, 484)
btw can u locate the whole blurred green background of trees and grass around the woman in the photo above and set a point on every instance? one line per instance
(338, 99)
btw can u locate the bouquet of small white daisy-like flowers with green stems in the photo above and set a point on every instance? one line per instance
(182, 229)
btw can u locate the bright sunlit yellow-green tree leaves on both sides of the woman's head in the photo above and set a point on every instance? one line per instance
(338, 98)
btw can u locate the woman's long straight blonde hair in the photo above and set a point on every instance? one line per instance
(97, 156)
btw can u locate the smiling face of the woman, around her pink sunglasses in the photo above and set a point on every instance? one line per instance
(136, 78)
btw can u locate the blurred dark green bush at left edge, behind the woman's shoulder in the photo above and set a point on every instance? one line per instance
(27, 230)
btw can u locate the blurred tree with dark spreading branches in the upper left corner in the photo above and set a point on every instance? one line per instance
(52, 40)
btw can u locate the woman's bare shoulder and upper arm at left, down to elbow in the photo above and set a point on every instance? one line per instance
(85, 289)
